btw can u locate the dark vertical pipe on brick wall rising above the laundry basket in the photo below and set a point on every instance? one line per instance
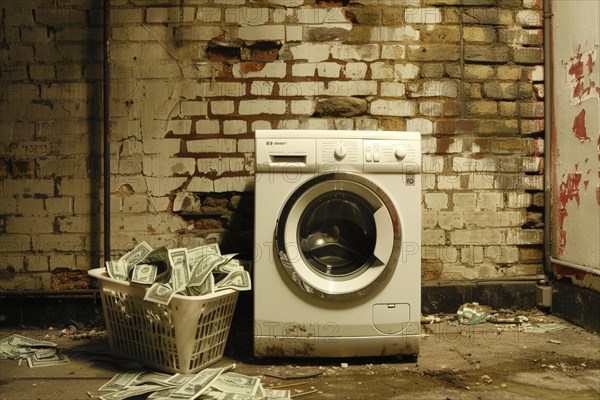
(106, 124)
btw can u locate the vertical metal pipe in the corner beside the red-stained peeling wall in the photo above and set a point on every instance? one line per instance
(548, 126)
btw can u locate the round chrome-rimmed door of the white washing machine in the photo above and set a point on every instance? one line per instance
(338, 236)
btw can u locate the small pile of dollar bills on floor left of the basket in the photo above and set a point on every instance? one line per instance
(37, 353)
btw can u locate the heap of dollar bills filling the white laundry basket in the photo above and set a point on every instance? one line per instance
(193, 272)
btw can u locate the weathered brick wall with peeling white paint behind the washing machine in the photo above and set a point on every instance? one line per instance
(190, 84)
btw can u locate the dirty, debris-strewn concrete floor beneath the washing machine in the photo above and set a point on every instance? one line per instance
(485, 361)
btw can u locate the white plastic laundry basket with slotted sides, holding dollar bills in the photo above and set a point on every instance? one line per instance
(185, 336)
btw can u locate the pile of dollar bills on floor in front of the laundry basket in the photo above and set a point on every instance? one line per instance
(209, 384)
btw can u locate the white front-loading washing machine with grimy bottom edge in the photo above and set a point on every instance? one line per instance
(337, 268)
